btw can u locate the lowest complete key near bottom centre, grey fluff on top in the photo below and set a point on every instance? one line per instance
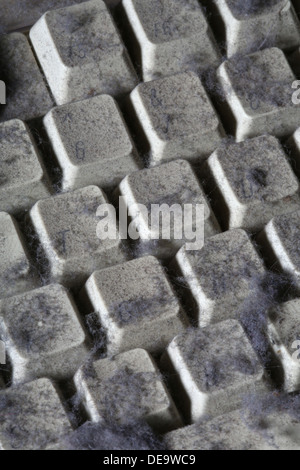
(126, 388)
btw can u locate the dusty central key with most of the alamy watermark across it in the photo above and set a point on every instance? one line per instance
(168, 189)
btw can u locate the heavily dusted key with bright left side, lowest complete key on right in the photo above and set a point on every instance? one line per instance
(216, 368)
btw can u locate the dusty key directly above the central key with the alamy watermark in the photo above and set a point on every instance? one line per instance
(177, 118)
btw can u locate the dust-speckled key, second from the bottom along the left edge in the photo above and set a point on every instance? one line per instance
(43, 334)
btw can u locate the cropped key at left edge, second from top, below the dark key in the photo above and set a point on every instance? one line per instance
(23, 180)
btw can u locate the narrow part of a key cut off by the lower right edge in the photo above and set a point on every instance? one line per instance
(284, 339)
